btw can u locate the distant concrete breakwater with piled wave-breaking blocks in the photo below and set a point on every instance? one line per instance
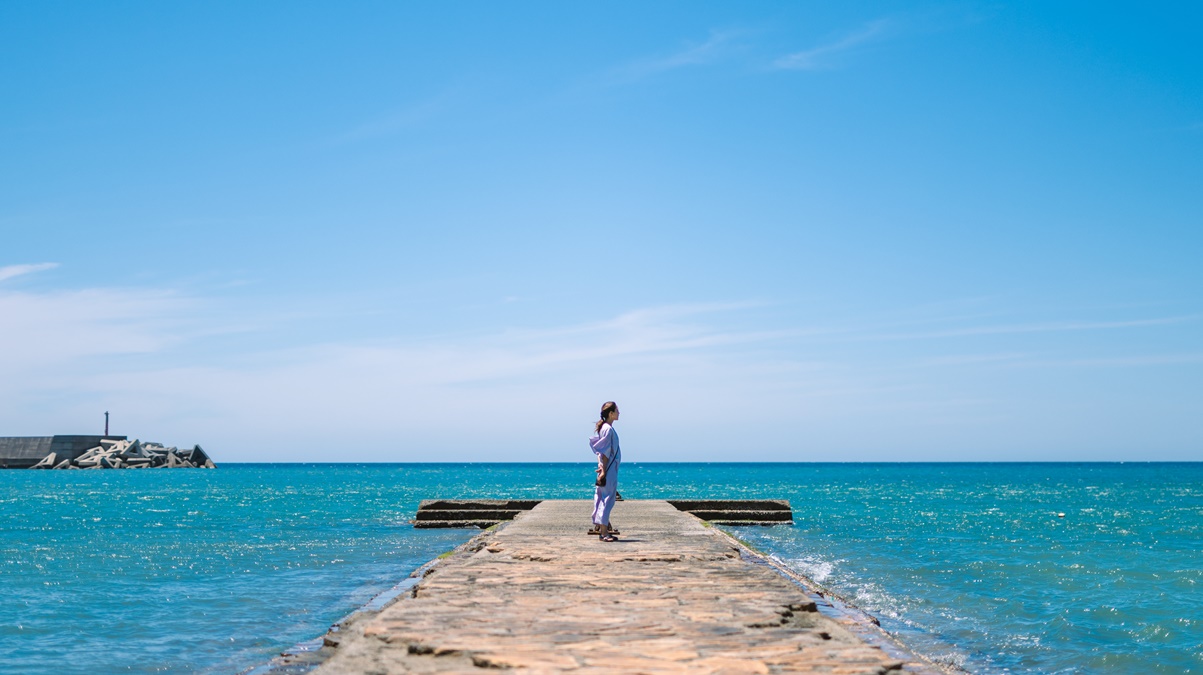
(96, 453)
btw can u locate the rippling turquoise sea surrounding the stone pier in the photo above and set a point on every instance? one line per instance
(220, 571)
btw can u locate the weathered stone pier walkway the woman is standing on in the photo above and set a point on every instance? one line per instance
(541, 596)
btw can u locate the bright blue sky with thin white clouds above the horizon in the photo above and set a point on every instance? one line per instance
(852, 232)
